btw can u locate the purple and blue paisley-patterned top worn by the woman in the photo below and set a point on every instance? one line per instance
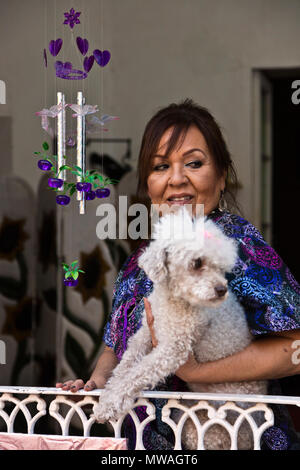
(264, 286)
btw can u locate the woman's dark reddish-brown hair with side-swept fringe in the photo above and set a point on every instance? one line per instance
(182, 116)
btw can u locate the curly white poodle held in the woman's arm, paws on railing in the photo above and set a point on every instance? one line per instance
(194, 312)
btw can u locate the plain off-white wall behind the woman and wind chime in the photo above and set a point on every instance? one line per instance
(162, 51)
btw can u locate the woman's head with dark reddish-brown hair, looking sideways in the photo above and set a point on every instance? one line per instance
(183, 155)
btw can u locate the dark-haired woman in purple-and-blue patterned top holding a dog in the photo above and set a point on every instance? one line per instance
(184, 159)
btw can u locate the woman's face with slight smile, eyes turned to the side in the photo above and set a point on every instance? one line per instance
(189, 171)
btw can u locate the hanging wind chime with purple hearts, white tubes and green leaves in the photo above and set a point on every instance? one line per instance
(89, 184)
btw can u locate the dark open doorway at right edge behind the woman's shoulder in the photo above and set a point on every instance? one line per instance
(286, 178)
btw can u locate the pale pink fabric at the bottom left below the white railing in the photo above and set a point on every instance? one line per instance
(15, 441)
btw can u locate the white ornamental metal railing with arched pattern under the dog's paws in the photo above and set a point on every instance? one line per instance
(63, 409)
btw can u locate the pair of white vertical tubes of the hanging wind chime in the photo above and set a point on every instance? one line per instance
(61, 142)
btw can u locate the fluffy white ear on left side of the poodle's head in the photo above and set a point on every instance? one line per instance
(154, 262)
